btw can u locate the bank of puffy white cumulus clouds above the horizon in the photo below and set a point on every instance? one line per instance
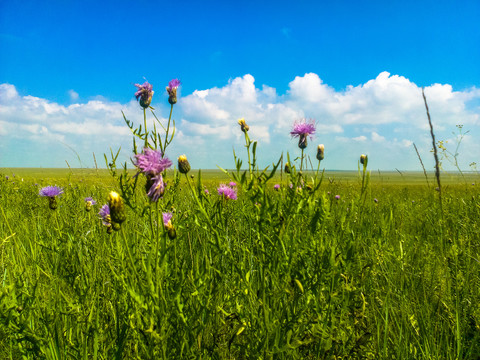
(382, 117)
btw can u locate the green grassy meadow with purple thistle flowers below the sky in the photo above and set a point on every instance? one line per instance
(275, 263)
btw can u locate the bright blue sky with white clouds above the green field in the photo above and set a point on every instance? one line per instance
(67, 70)
